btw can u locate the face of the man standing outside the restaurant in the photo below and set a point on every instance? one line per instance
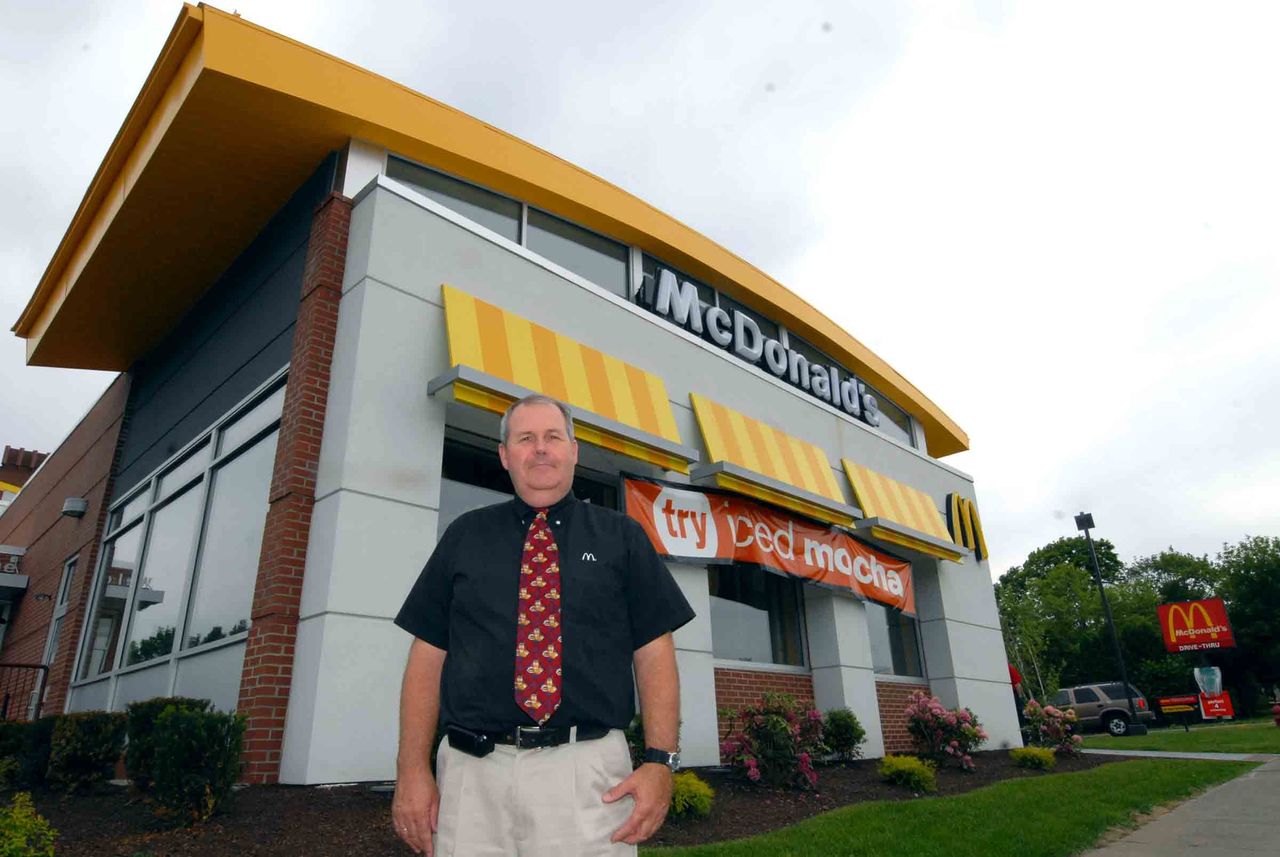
(538, 455)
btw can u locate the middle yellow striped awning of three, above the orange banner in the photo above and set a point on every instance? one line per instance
(757, 460)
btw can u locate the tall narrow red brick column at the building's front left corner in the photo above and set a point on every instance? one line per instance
(268, 670)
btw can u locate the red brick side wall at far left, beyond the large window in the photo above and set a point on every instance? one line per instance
(81, 468)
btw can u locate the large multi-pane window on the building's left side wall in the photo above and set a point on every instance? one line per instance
(194, 528)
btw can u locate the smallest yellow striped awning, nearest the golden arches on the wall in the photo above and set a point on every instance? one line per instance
(899, 514)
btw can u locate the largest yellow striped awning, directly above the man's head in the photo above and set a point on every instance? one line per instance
(500, 358)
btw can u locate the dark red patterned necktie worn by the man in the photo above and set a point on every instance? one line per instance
(538, 633)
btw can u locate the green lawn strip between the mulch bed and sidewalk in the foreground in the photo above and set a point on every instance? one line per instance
(1048, 817)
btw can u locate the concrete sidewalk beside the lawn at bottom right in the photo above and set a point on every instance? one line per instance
(1236, 819)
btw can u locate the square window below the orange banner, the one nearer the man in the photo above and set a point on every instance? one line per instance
(756, 616)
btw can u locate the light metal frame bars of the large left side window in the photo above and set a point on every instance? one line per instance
(149, 489)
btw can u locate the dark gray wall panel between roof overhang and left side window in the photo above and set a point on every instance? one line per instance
(236, 337)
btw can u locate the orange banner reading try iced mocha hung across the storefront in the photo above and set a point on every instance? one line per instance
(701, 526)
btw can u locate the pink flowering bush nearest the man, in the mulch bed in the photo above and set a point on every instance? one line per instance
(775, 743)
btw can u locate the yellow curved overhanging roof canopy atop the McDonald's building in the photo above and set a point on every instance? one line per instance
(234, 118)
